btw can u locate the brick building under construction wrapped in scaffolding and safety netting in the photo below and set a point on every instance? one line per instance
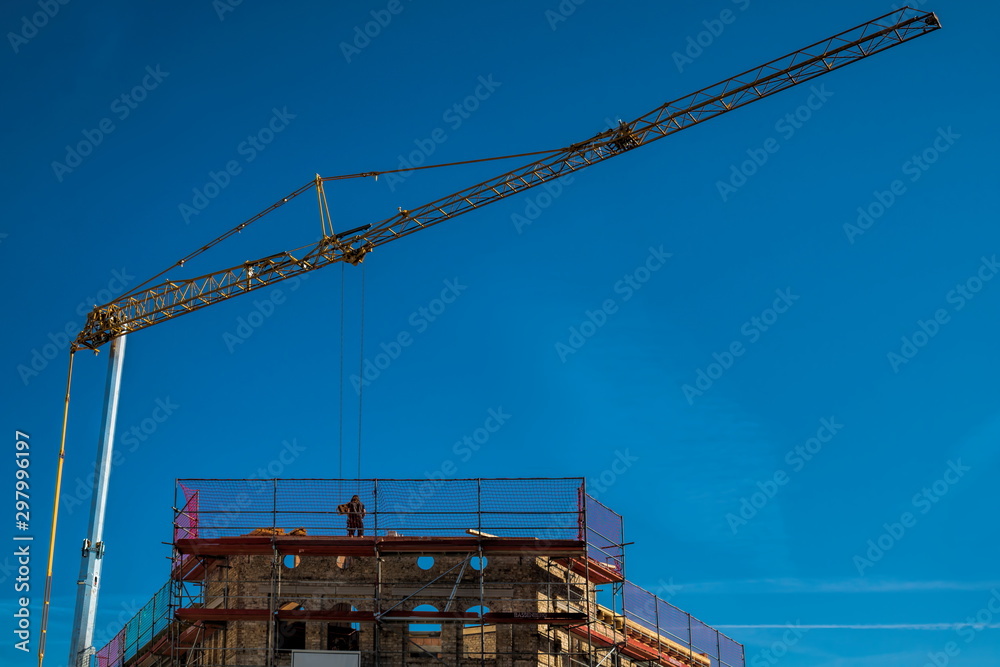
(511, 572)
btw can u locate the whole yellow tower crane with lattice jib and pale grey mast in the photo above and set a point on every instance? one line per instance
(147, 305)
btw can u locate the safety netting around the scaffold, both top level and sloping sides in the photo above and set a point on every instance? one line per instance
(540, 508)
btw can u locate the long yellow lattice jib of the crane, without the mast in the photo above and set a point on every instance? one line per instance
(143, 308)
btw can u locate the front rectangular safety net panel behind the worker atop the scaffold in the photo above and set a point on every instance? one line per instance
(543, 508)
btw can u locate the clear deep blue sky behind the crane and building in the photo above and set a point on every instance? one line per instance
(908, 136)
